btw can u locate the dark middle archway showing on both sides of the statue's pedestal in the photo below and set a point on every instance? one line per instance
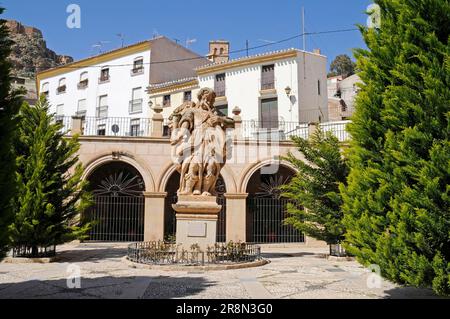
(170, 222)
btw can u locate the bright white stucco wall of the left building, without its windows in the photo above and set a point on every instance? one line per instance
(119, 88)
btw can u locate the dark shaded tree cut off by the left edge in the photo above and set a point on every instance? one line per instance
(10, 101)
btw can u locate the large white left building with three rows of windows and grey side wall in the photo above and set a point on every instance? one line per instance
(109, 91)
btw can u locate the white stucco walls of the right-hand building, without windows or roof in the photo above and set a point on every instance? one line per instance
(243, 88)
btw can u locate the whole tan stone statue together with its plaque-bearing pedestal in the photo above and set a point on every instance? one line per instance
(199, 149)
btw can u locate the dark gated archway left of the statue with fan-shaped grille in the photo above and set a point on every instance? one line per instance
(118, 211)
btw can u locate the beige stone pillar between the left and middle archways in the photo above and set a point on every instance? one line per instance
(154, 216)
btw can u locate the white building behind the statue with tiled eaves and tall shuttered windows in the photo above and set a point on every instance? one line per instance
(278, 93)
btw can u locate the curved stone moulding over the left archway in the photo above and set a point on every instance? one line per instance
(108, 158)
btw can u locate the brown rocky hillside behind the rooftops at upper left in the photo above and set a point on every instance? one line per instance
(30, 53)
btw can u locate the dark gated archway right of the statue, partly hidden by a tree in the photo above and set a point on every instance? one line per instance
(266, 211)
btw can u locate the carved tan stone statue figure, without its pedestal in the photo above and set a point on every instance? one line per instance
(199, 144)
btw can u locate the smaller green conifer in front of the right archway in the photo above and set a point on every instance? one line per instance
(314, 190)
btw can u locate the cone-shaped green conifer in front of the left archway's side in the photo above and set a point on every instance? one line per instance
(51, 193)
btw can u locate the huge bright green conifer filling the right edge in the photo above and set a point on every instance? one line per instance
(397, 201)
